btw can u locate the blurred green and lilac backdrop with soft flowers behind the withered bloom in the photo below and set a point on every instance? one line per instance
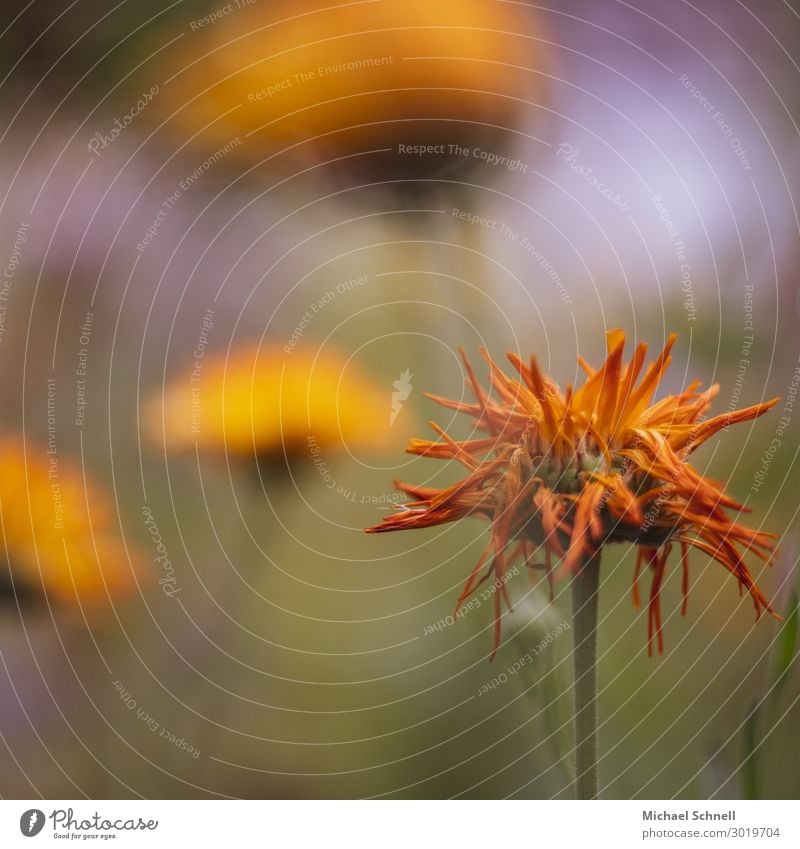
(242, 178)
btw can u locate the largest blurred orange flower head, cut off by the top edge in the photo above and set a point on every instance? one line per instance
(348, 78)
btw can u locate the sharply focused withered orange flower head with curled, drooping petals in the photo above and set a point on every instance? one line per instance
(566, 472)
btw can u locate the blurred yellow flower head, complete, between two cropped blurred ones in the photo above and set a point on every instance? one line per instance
(266, 402)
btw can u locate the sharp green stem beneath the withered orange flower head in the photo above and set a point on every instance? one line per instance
(585, 586)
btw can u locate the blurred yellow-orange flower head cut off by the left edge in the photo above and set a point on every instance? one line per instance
(58, 534)
